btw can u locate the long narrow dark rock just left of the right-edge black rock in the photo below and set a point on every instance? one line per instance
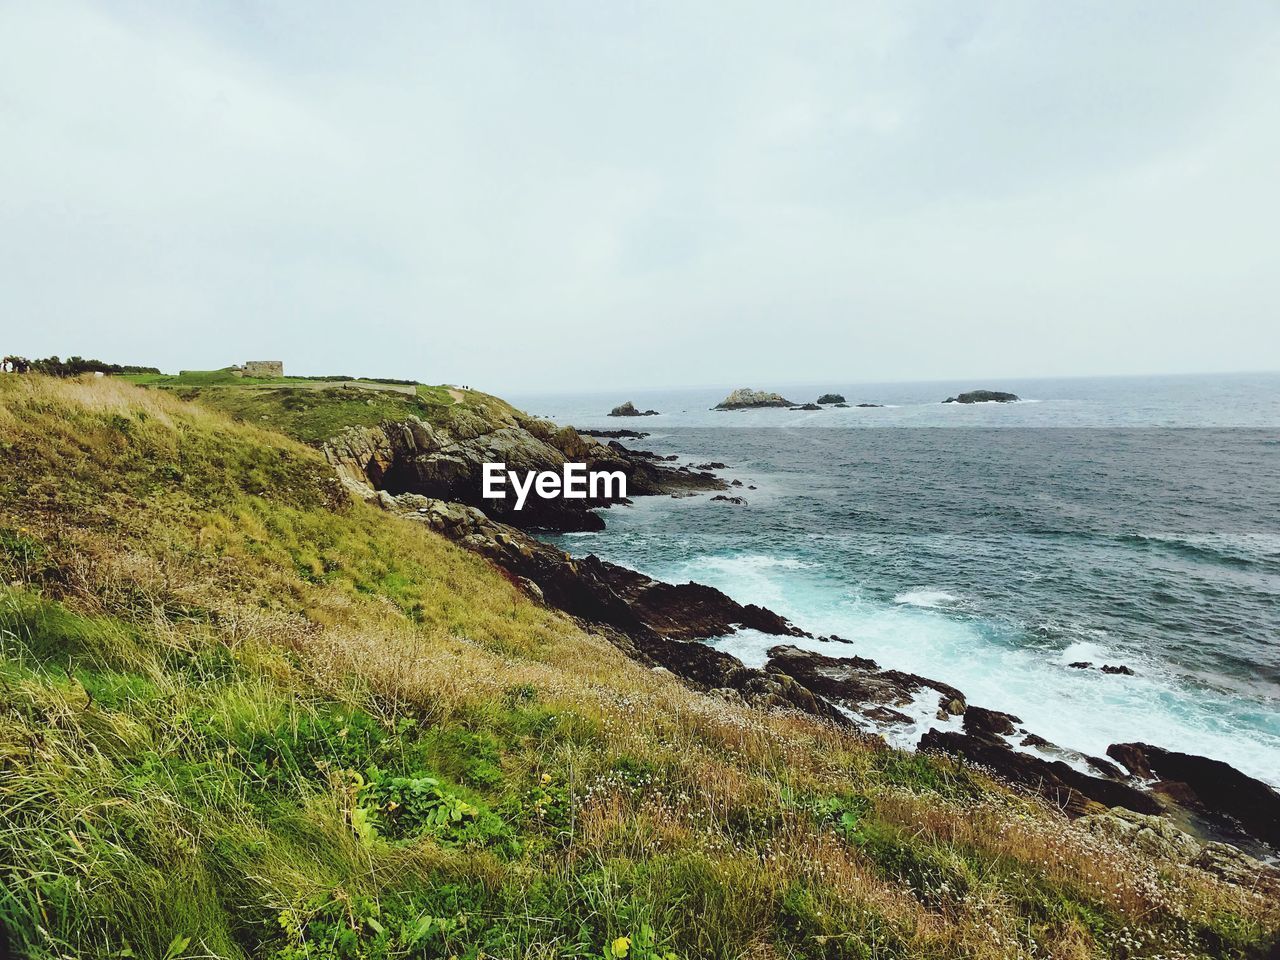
(1058, 783)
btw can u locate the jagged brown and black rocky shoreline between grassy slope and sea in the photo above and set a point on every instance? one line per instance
(428, 476)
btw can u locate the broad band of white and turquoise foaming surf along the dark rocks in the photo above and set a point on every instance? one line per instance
(1078, 710)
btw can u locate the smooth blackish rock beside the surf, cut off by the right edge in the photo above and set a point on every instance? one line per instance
(1219, 789)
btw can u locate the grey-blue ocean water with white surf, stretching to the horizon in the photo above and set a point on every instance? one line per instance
(1123, 522)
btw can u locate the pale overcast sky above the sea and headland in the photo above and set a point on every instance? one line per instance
(642, 195)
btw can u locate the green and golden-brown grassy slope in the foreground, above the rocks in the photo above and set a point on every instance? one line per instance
(245, 716)
